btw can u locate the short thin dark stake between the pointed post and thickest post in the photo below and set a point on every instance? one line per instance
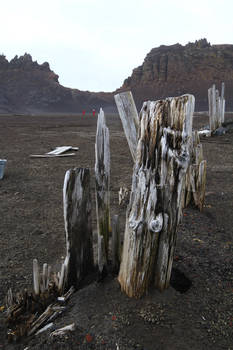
(116, 243)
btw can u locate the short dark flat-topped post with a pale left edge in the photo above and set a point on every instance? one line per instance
(77, 217)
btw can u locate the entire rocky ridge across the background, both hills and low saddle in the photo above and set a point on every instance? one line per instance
(28, 87)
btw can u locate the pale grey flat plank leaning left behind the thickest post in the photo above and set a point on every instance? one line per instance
(129, 118)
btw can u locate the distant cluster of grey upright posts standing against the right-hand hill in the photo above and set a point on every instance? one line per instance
(216, 107)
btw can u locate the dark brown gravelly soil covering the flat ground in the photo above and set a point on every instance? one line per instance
(194, 313)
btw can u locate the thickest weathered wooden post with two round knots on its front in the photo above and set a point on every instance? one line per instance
(157, 188)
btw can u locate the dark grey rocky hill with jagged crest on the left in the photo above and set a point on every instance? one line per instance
(28, 87)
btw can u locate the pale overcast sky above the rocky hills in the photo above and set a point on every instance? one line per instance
(95, 44)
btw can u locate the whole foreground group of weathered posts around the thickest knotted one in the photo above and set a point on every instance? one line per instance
(169, 172)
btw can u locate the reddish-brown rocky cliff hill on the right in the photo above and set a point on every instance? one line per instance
(176, 69)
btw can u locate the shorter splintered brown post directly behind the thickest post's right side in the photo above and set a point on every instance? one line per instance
(196, 174)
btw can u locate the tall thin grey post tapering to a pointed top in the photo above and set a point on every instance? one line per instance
(102, 181)
